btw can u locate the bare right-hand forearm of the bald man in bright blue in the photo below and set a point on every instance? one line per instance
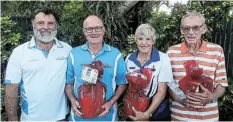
(119, 91)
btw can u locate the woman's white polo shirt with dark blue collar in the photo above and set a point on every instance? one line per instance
(160, 65)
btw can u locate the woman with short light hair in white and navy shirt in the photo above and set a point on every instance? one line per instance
(148, 57)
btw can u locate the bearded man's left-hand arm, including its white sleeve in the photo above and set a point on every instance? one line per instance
(12, 81)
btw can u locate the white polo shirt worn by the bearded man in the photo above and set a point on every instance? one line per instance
(42, 80)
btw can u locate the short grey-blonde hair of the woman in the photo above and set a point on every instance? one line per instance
(146, 30)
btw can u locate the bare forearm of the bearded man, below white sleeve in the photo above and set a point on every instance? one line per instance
(11, 101)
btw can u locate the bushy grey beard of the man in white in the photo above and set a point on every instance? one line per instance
(45, 37)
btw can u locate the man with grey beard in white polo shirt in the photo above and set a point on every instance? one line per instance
(37, 69)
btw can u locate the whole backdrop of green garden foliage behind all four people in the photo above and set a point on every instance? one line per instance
(72, 14)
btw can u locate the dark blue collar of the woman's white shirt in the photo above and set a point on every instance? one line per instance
(154, 58)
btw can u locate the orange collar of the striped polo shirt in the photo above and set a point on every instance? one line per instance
(203, 48)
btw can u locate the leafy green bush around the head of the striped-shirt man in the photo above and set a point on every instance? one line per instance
(168, 26)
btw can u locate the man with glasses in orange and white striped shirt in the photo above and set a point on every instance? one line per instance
(210, 57)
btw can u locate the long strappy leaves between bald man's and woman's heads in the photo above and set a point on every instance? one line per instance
(115, 24)
